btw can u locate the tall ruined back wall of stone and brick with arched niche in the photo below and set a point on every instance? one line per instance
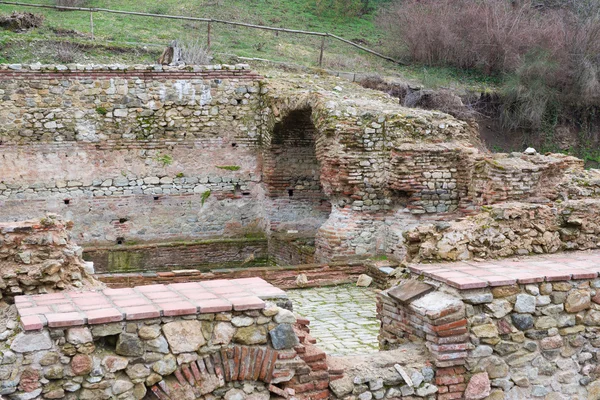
(147, 154)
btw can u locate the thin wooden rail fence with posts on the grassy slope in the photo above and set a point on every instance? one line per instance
(209, 23)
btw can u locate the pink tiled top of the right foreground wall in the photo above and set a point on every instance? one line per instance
(549, 268)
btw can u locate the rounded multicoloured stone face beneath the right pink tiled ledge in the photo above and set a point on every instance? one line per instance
(536, 340)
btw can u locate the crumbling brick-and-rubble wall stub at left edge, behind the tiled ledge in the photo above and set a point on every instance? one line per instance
(39, 256)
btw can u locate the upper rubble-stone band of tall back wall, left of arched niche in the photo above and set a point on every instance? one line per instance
(91, 103)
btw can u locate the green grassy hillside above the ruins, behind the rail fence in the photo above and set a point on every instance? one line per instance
(135, 39)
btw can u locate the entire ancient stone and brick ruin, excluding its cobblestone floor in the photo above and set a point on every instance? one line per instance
(199, 193)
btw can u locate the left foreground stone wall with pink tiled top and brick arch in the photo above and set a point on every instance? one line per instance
(166, 347)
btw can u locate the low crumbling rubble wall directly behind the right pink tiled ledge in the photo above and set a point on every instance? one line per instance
(508, 229)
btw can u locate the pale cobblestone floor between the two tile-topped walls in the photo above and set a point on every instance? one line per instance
(342, 318)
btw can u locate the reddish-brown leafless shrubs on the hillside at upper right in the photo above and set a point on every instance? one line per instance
(547, 52)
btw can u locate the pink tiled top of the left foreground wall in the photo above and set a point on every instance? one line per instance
(143, 302)
